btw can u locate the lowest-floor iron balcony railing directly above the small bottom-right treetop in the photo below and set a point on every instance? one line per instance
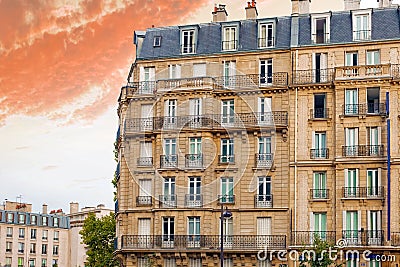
(307, 238)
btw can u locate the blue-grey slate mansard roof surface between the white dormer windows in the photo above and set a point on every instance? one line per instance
(385, 25)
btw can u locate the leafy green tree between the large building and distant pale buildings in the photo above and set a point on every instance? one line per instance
(98, 235)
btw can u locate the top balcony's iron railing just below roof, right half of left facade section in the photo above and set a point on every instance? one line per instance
(252, 80)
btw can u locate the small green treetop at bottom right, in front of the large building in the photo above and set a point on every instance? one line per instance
(325, 254)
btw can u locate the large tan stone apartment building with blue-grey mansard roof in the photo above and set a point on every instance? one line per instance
(290, 123)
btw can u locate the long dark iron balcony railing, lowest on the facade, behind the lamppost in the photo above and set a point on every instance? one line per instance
(210, 242)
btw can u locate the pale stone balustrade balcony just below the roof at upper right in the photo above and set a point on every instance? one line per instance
(363, 72)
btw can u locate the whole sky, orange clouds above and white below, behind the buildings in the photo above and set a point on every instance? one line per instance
(62, 64)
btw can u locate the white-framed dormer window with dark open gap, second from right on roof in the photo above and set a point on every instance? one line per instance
(320, 28)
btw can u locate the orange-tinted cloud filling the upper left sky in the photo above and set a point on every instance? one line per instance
(69, 60)
